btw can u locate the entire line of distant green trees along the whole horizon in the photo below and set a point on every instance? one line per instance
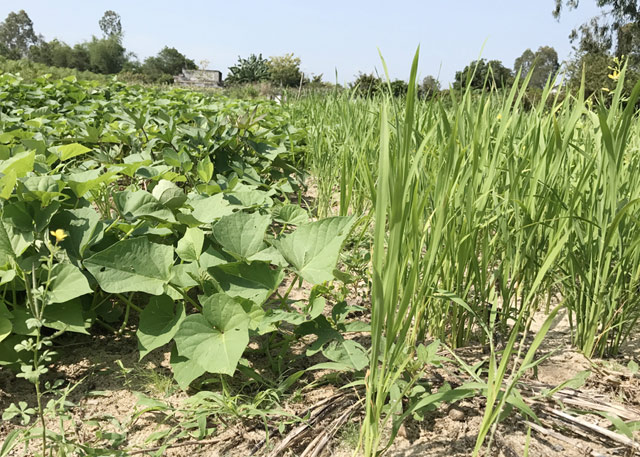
(601, 47)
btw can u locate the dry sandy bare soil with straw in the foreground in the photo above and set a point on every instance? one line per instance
(108, 378)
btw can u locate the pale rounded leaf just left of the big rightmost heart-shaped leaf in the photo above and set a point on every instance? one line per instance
(241, 234)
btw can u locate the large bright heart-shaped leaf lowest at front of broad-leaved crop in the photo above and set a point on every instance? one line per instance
(215, 339)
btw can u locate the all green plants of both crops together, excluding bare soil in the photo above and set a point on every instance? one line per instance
(182, 215)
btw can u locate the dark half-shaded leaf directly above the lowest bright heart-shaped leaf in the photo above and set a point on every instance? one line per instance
(255, 281)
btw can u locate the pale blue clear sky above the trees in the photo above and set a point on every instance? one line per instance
(329, 36)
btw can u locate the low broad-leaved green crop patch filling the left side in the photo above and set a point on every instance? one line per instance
(170, 210)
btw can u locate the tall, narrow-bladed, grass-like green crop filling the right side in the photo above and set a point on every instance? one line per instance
(486, 212)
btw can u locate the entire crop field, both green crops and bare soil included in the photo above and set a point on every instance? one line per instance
(185, 274)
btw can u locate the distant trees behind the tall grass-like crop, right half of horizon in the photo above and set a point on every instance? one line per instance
(601, 48)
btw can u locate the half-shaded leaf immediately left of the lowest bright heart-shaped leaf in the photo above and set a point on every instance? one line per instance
(159, 322)
